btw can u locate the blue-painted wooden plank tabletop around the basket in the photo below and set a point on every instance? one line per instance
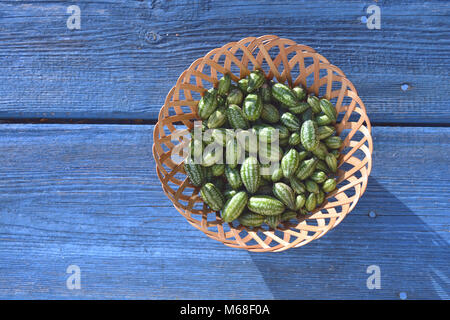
(78, 187)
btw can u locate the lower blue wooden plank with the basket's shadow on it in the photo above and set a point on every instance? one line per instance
(88, 195)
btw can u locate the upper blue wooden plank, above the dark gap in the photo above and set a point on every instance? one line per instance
(128, 54)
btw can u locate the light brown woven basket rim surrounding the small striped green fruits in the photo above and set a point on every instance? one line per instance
(287, 62)
